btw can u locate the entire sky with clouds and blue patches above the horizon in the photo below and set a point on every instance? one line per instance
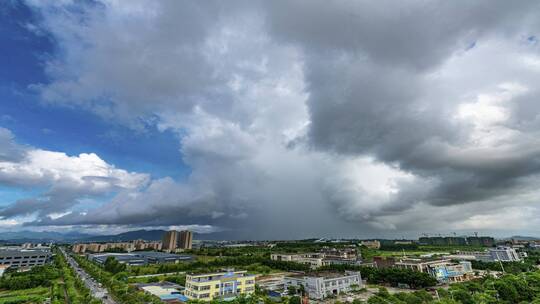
(270, 119)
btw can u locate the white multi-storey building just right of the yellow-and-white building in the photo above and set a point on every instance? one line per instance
(323, 284)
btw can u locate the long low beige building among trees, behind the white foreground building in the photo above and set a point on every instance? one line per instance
(327, 256)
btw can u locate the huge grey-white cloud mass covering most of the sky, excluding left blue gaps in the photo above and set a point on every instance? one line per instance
(301, 118)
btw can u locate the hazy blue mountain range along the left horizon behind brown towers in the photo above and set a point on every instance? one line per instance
(46, 236)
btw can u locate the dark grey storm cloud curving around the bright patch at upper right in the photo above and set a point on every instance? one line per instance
(370, 70)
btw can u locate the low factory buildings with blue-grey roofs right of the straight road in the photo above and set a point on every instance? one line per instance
(140, 258)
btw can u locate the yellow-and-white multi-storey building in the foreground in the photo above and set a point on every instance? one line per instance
(220, 285)
